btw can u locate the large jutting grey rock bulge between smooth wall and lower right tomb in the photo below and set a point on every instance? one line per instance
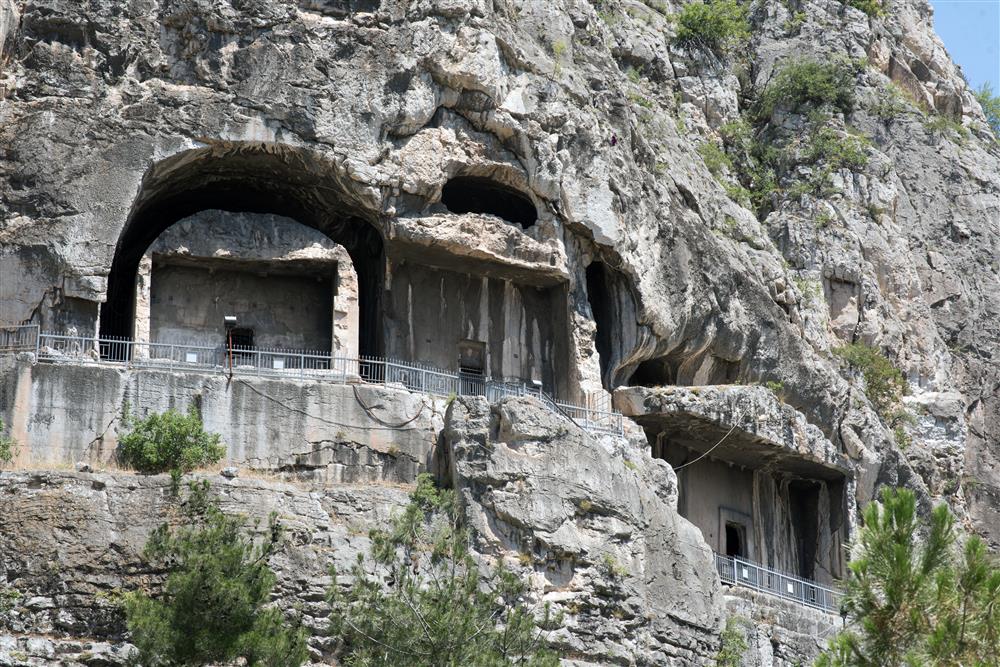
(598, 524)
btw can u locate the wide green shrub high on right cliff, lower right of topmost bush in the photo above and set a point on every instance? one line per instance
(808, 83)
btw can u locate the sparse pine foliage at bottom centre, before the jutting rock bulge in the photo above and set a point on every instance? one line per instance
(428, 604)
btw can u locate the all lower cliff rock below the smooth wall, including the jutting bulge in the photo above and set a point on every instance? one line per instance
(591, 524)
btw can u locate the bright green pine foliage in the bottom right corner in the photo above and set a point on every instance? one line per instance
(914, 596)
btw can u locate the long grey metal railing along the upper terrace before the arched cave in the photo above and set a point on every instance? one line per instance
(302, 364)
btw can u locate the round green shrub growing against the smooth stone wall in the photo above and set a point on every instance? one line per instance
(168, 441)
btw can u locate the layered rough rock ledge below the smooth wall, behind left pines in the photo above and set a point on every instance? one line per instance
(70, 541)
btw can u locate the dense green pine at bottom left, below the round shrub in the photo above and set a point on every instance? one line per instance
(212, 609)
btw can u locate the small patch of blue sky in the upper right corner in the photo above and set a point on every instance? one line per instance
(970, 30)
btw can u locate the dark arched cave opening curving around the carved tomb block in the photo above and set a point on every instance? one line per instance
(245, 182)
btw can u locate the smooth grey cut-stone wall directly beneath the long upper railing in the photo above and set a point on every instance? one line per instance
(67, 413)
